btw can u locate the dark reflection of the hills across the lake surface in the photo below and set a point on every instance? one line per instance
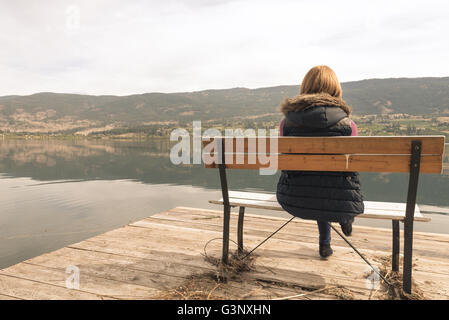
(148, 162)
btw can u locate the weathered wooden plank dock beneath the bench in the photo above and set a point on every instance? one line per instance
(162, 257)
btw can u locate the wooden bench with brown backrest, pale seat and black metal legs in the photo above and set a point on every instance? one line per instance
(407, 154)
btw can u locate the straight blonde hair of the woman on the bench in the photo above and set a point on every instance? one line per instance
(321, 79)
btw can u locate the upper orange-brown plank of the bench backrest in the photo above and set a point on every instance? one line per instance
(347, 145)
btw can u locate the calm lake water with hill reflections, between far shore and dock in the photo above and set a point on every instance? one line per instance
(54, 193)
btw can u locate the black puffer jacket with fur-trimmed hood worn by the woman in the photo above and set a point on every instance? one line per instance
(322, 196)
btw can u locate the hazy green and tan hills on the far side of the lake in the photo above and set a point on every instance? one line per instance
(55, 112)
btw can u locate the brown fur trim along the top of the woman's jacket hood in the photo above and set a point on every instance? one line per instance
(305, 101)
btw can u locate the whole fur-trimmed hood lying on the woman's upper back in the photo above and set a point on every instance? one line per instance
(316, 111)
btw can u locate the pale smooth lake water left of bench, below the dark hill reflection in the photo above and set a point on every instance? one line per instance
(41, 217)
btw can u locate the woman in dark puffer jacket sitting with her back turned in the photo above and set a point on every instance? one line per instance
(319, 110)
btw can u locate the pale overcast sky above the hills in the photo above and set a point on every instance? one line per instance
(126, 47)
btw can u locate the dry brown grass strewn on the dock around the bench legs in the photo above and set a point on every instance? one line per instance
(221, 283)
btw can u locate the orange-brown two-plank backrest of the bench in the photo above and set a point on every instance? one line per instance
(364, 154)
